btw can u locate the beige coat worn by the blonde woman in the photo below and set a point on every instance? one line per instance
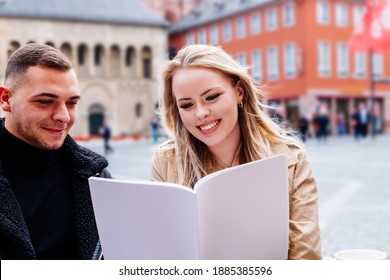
(304, 230)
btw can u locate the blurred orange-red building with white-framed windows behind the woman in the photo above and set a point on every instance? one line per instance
(297, 49)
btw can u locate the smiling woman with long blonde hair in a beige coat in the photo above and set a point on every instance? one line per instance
(213, 114)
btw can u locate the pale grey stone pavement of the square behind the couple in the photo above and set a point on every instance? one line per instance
(353, 181)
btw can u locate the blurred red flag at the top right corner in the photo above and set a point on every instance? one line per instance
(374, 32)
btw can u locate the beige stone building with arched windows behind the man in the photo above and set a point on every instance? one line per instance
(116, 47)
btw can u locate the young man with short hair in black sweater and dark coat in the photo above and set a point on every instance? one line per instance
(45, 205)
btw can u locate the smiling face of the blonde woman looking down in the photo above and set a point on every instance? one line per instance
(208, 105)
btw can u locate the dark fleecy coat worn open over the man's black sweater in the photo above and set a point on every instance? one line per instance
(15, 241)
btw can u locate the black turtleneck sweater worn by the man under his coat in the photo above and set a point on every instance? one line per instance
(39, 179)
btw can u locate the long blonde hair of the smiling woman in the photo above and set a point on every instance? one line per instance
(258, 130)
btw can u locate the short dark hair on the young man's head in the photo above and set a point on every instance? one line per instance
(34, 54)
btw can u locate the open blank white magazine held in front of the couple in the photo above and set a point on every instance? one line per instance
(240, 212)
